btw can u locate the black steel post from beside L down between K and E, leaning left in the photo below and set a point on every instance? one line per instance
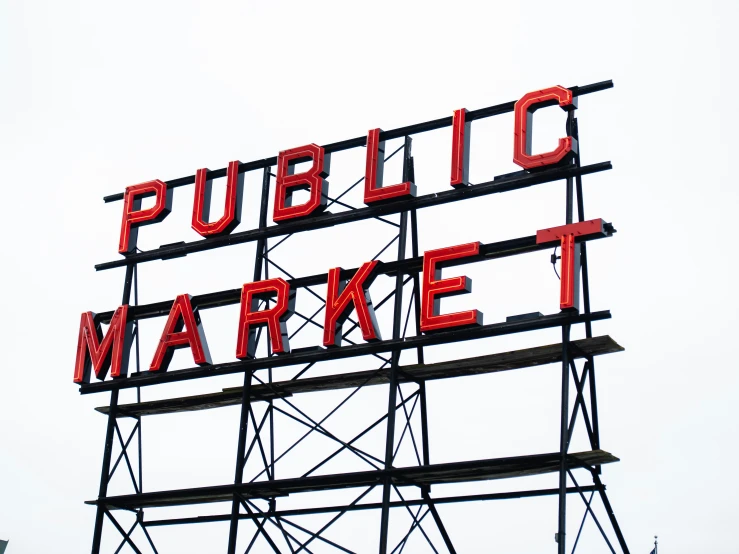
(397, 326)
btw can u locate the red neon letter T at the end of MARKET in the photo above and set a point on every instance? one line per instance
(569, 294)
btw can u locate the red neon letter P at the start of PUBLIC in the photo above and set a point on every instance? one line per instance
(134, 216)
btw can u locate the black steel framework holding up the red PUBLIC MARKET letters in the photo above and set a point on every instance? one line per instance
(255, 493)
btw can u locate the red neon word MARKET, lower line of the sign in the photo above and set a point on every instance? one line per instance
(184, 328)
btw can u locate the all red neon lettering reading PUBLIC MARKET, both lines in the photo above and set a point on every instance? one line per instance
(271, 302)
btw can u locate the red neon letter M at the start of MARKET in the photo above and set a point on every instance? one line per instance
(102, 353)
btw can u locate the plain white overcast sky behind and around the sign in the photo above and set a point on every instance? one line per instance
(96, 96)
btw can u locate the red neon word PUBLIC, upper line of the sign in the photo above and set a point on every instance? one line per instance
(314, 179)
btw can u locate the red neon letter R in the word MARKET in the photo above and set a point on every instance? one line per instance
(275, 317)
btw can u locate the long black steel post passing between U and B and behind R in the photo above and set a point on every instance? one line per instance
(246, 391)
